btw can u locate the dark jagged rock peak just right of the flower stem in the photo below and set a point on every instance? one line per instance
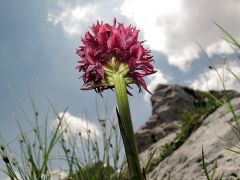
(168, 102)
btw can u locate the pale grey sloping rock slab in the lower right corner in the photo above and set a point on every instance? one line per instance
(185, 162)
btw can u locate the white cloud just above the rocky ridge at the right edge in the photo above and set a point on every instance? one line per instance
(211, 81)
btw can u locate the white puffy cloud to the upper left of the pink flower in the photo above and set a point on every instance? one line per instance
(73, 19)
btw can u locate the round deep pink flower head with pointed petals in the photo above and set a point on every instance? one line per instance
(110, 49)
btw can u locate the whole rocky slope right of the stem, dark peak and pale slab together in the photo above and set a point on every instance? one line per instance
(170, 103)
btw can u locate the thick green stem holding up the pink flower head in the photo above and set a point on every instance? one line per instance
(129, 143)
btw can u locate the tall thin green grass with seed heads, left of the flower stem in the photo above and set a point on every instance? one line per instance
(45, 151)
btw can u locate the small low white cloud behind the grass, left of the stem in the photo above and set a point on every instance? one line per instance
(76, 125)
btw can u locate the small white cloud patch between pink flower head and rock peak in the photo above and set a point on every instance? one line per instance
(154, 80)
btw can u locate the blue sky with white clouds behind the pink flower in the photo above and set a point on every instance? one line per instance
(38, 40)
